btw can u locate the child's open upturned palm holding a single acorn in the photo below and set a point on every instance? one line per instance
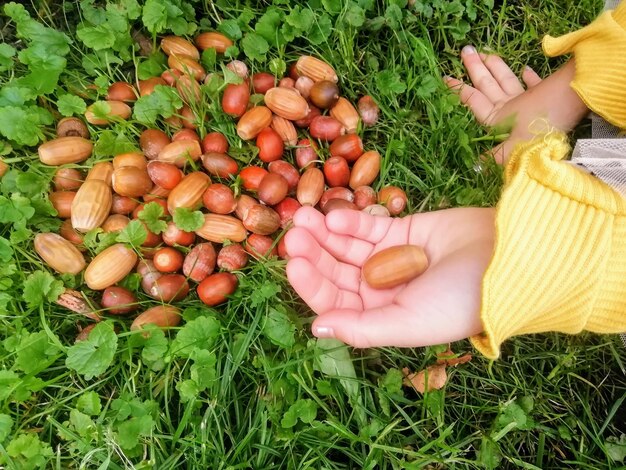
(441, 305)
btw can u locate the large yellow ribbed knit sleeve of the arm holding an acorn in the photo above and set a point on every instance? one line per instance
(559, 262)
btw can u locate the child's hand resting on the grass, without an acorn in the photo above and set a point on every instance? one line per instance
(497, 95)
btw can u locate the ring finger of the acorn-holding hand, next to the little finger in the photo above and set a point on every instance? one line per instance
(343, 247)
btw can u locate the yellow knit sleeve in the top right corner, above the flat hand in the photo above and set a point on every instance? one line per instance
(600, 57)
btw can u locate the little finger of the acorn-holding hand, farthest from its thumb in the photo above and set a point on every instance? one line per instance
(359, 225)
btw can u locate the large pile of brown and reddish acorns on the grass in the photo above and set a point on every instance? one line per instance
(309, 153)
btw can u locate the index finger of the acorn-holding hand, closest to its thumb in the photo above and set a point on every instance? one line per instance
(319, 293)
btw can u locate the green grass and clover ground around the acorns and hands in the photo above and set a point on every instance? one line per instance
(239, 398)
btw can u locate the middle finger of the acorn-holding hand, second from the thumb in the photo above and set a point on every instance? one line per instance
(301, 244)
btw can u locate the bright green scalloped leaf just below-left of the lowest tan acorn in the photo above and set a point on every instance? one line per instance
(93, 356)
